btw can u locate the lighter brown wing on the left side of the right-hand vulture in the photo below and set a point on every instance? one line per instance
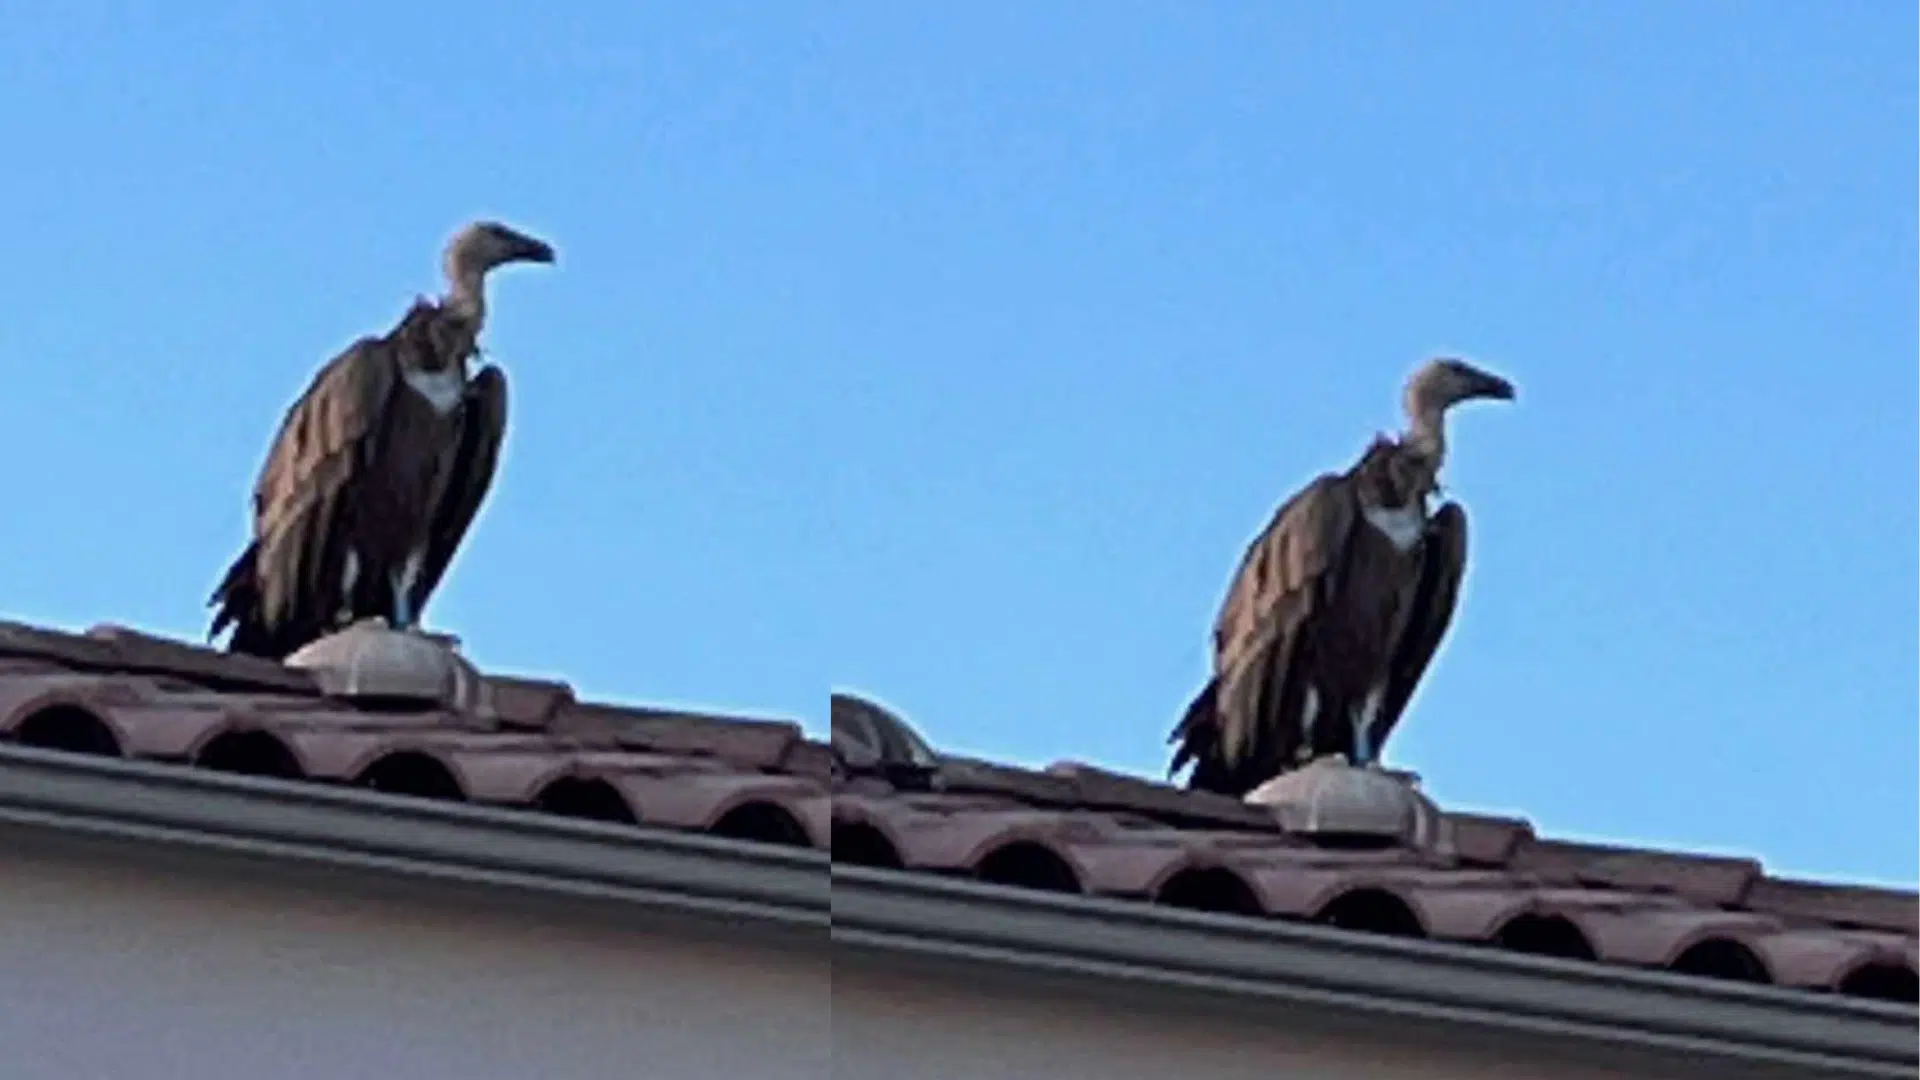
(1284, 579)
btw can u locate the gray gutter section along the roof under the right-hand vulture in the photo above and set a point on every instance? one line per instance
(1689, 1019)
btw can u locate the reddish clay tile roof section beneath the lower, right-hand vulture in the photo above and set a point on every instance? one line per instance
(1497, 883)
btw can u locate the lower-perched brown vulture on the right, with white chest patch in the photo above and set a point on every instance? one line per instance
(1337, 606)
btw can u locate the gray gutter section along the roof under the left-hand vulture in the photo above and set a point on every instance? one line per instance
(170, 806)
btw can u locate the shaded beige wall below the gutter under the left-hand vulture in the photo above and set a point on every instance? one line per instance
(183, 975)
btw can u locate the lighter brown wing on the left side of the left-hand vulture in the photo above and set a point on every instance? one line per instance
(327, 439)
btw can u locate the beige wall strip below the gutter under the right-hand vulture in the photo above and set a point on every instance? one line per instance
(892, 1023)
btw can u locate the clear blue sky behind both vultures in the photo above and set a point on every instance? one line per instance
(953, 355)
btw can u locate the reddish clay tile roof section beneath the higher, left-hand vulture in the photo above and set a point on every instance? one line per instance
(535, 747)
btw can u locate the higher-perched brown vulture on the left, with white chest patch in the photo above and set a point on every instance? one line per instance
(377, 470)
